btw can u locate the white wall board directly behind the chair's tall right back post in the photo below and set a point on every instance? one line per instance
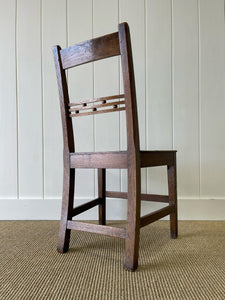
(133, 12)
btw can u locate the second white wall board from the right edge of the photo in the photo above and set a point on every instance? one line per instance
(186, 112)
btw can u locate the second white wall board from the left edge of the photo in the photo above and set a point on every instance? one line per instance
(29, 98)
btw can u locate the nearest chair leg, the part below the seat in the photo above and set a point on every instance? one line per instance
(133, 220)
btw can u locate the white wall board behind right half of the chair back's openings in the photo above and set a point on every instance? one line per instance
(106, 82)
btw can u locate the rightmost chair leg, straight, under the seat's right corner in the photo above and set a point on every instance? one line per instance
(172, 186)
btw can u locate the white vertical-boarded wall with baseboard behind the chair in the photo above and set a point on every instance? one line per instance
(178, 48)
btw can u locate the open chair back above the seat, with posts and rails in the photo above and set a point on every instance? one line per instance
(110, 45)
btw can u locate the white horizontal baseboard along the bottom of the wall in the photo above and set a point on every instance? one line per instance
(49, 209)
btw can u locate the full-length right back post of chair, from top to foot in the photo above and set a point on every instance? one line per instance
(133, 148)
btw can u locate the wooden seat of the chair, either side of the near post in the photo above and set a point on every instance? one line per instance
(118, 159)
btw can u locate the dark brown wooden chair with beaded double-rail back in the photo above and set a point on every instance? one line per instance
(133, 159)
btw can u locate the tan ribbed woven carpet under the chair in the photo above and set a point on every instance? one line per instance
(191, 267)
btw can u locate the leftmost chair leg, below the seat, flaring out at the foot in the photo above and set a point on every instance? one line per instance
(67, 210)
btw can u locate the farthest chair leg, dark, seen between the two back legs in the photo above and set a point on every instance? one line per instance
(101, 194)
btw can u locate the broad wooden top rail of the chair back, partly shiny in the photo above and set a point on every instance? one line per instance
(91, 50)
